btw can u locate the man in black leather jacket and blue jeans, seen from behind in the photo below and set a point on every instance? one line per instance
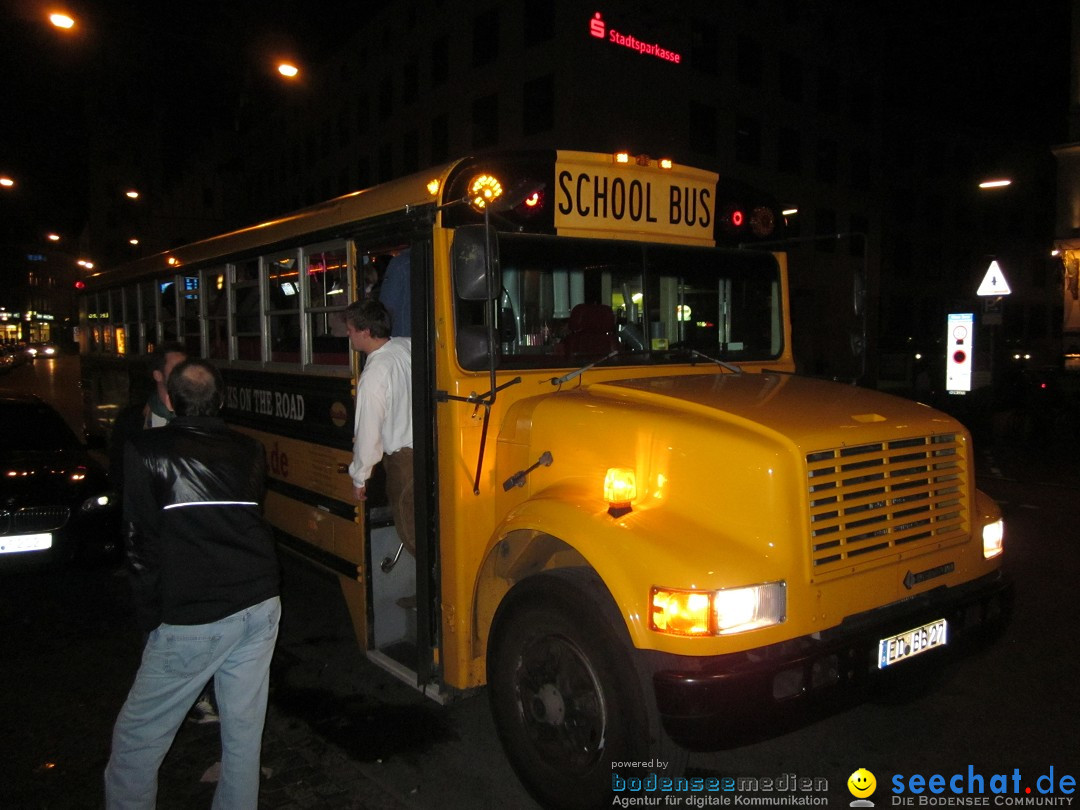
(206, 582)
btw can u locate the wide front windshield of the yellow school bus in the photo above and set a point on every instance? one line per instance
(564, 302)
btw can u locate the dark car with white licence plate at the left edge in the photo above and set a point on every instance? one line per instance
(56, 502)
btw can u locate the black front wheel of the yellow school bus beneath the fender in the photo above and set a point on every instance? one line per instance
(566, 698)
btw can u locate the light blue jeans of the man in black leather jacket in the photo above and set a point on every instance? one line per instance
(178, 663)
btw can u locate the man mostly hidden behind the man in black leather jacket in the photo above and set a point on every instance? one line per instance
(155, 413)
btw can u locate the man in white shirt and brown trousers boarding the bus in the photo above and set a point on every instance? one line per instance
(384, 425)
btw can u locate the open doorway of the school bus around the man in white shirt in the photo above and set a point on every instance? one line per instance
(400, 597)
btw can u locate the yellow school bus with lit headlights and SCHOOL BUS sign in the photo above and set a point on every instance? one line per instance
(637, 525)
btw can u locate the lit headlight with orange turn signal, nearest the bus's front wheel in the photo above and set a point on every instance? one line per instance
(718, 613)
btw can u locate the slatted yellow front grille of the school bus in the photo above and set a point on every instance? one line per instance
(874, 499)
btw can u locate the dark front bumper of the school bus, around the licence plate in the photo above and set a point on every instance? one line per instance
(709, 701)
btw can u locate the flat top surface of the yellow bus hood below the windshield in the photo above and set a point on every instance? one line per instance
(808, 412)
